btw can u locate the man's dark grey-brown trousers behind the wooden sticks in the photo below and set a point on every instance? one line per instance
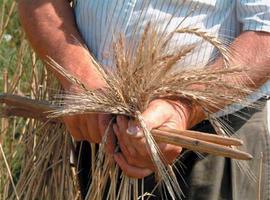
(208, 177)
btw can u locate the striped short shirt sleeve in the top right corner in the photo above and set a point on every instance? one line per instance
(254, 15)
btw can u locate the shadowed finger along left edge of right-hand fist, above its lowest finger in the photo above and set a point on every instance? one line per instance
(122, 123)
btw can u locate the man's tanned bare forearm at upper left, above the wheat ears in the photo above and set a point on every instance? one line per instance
(52, 32)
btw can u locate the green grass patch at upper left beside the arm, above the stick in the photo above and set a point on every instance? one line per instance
(14, 49)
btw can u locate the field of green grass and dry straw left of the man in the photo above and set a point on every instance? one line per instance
(34, 159)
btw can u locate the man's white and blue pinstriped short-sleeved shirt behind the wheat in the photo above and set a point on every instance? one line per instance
(101, 21)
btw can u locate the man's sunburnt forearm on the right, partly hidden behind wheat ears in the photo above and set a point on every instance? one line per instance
(251, 51)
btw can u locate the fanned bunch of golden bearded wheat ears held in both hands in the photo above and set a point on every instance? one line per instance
(147, 72)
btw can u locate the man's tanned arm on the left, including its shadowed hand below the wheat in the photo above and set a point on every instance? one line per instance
(43, 18)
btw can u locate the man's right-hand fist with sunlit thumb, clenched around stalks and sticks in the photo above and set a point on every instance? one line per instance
(134, 159)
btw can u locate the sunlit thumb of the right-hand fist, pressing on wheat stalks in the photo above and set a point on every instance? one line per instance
(157, 113)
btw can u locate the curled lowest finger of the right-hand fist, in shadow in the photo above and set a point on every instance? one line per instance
(131, 171)
